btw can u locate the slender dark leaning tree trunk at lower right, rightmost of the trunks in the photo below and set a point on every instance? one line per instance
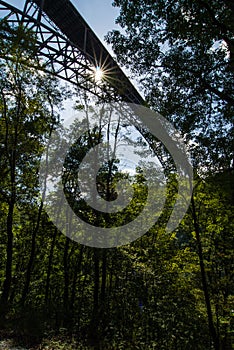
(213, 332)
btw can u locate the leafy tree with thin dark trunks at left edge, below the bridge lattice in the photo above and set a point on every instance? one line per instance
(28, 102)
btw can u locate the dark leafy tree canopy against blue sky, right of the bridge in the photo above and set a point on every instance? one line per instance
(183, 51)
